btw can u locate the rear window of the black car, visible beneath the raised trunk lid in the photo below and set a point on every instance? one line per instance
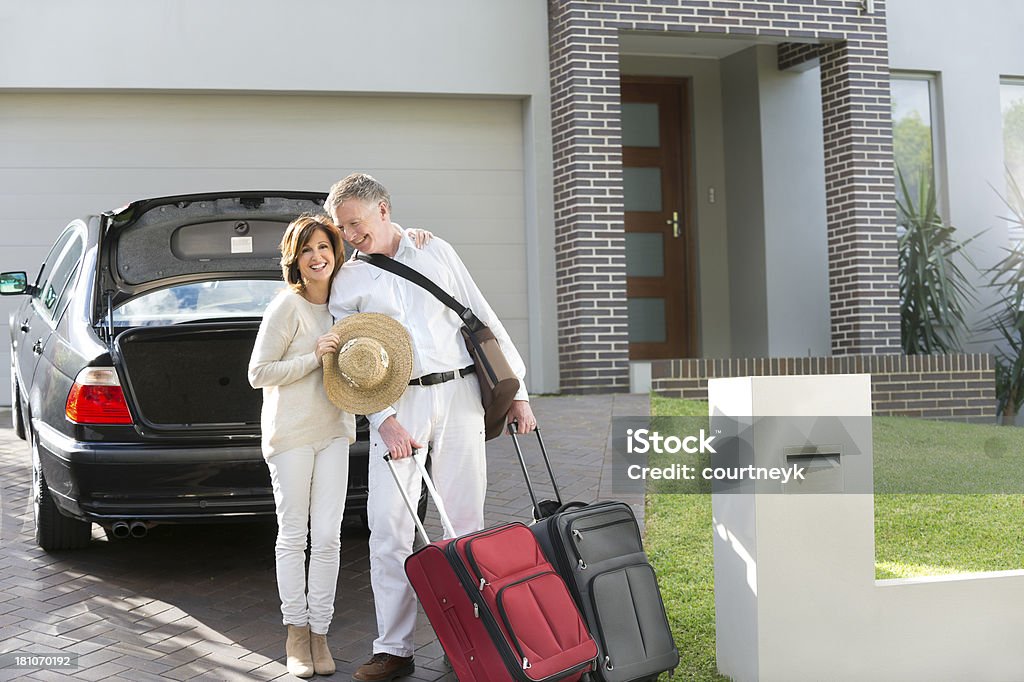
(202, 301)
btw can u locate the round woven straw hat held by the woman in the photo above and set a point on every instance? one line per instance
(373, 365)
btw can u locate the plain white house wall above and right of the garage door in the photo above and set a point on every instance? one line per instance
(404, 48)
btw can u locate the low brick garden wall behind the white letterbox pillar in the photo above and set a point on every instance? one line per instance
(949, 388)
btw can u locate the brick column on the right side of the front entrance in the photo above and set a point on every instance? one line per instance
(864, 278)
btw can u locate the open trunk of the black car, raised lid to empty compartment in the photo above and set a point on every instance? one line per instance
(182, 285)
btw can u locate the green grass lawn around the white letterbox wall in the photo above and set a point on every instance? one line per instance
(916, 534)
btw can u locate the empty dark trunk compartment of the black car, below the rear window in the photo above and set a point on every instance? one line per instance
(191, 379)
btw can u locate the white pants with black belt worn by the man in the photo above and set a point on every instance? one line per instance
(449, 417)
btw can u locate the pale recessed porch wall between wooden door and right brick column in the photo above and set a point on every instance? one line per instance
(779, 257)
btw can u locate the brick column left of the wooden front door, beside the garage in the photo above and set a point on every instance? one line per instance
(590, 238)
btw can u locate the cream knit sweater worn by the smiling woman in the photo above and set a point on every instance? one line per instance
(296, 410)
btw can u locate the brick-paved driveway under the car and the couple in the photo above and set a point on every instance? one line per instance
(200, 603)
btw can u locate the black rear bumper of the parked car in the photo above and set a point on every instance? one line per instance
(109, 482)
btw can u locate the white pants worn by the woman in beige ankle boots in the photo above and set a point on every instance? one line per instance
(310, 488)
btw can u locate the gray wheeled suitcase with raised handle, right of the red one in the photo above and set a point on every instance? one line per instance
(598, 549)
